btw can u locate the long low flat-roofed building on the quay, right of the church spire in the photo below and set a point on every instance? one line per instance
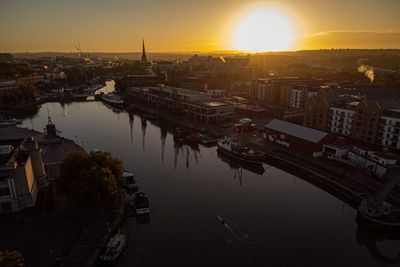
(192, 105)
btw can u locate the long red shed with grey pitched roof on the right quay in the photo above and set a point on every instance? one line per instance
(297, 137)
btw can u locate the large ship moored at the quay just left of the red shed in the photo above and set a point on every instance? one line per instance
(240, 152)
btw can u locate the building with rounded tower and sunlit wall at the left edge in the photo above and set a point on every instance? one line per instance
(22, 174)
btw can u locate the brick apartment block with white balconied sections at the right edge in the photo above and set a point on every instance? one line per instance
(374, 121)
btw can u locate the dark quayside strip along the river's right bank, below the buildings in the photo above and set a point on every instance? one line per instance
(342, 181)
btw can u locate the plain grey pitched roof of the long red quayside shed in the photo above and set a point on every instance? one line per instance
(296, 130)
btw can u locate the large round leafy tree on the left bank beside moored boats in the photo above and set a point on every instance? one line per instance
(90, 178)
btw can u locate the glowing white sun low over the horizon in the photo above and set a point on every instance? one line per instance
(263, 29)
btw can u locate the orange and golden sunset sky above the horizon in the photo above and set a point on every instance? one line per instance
(192, 25)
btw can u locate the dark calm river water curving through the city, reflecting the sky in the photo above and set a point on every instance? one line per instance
(274, 218)
